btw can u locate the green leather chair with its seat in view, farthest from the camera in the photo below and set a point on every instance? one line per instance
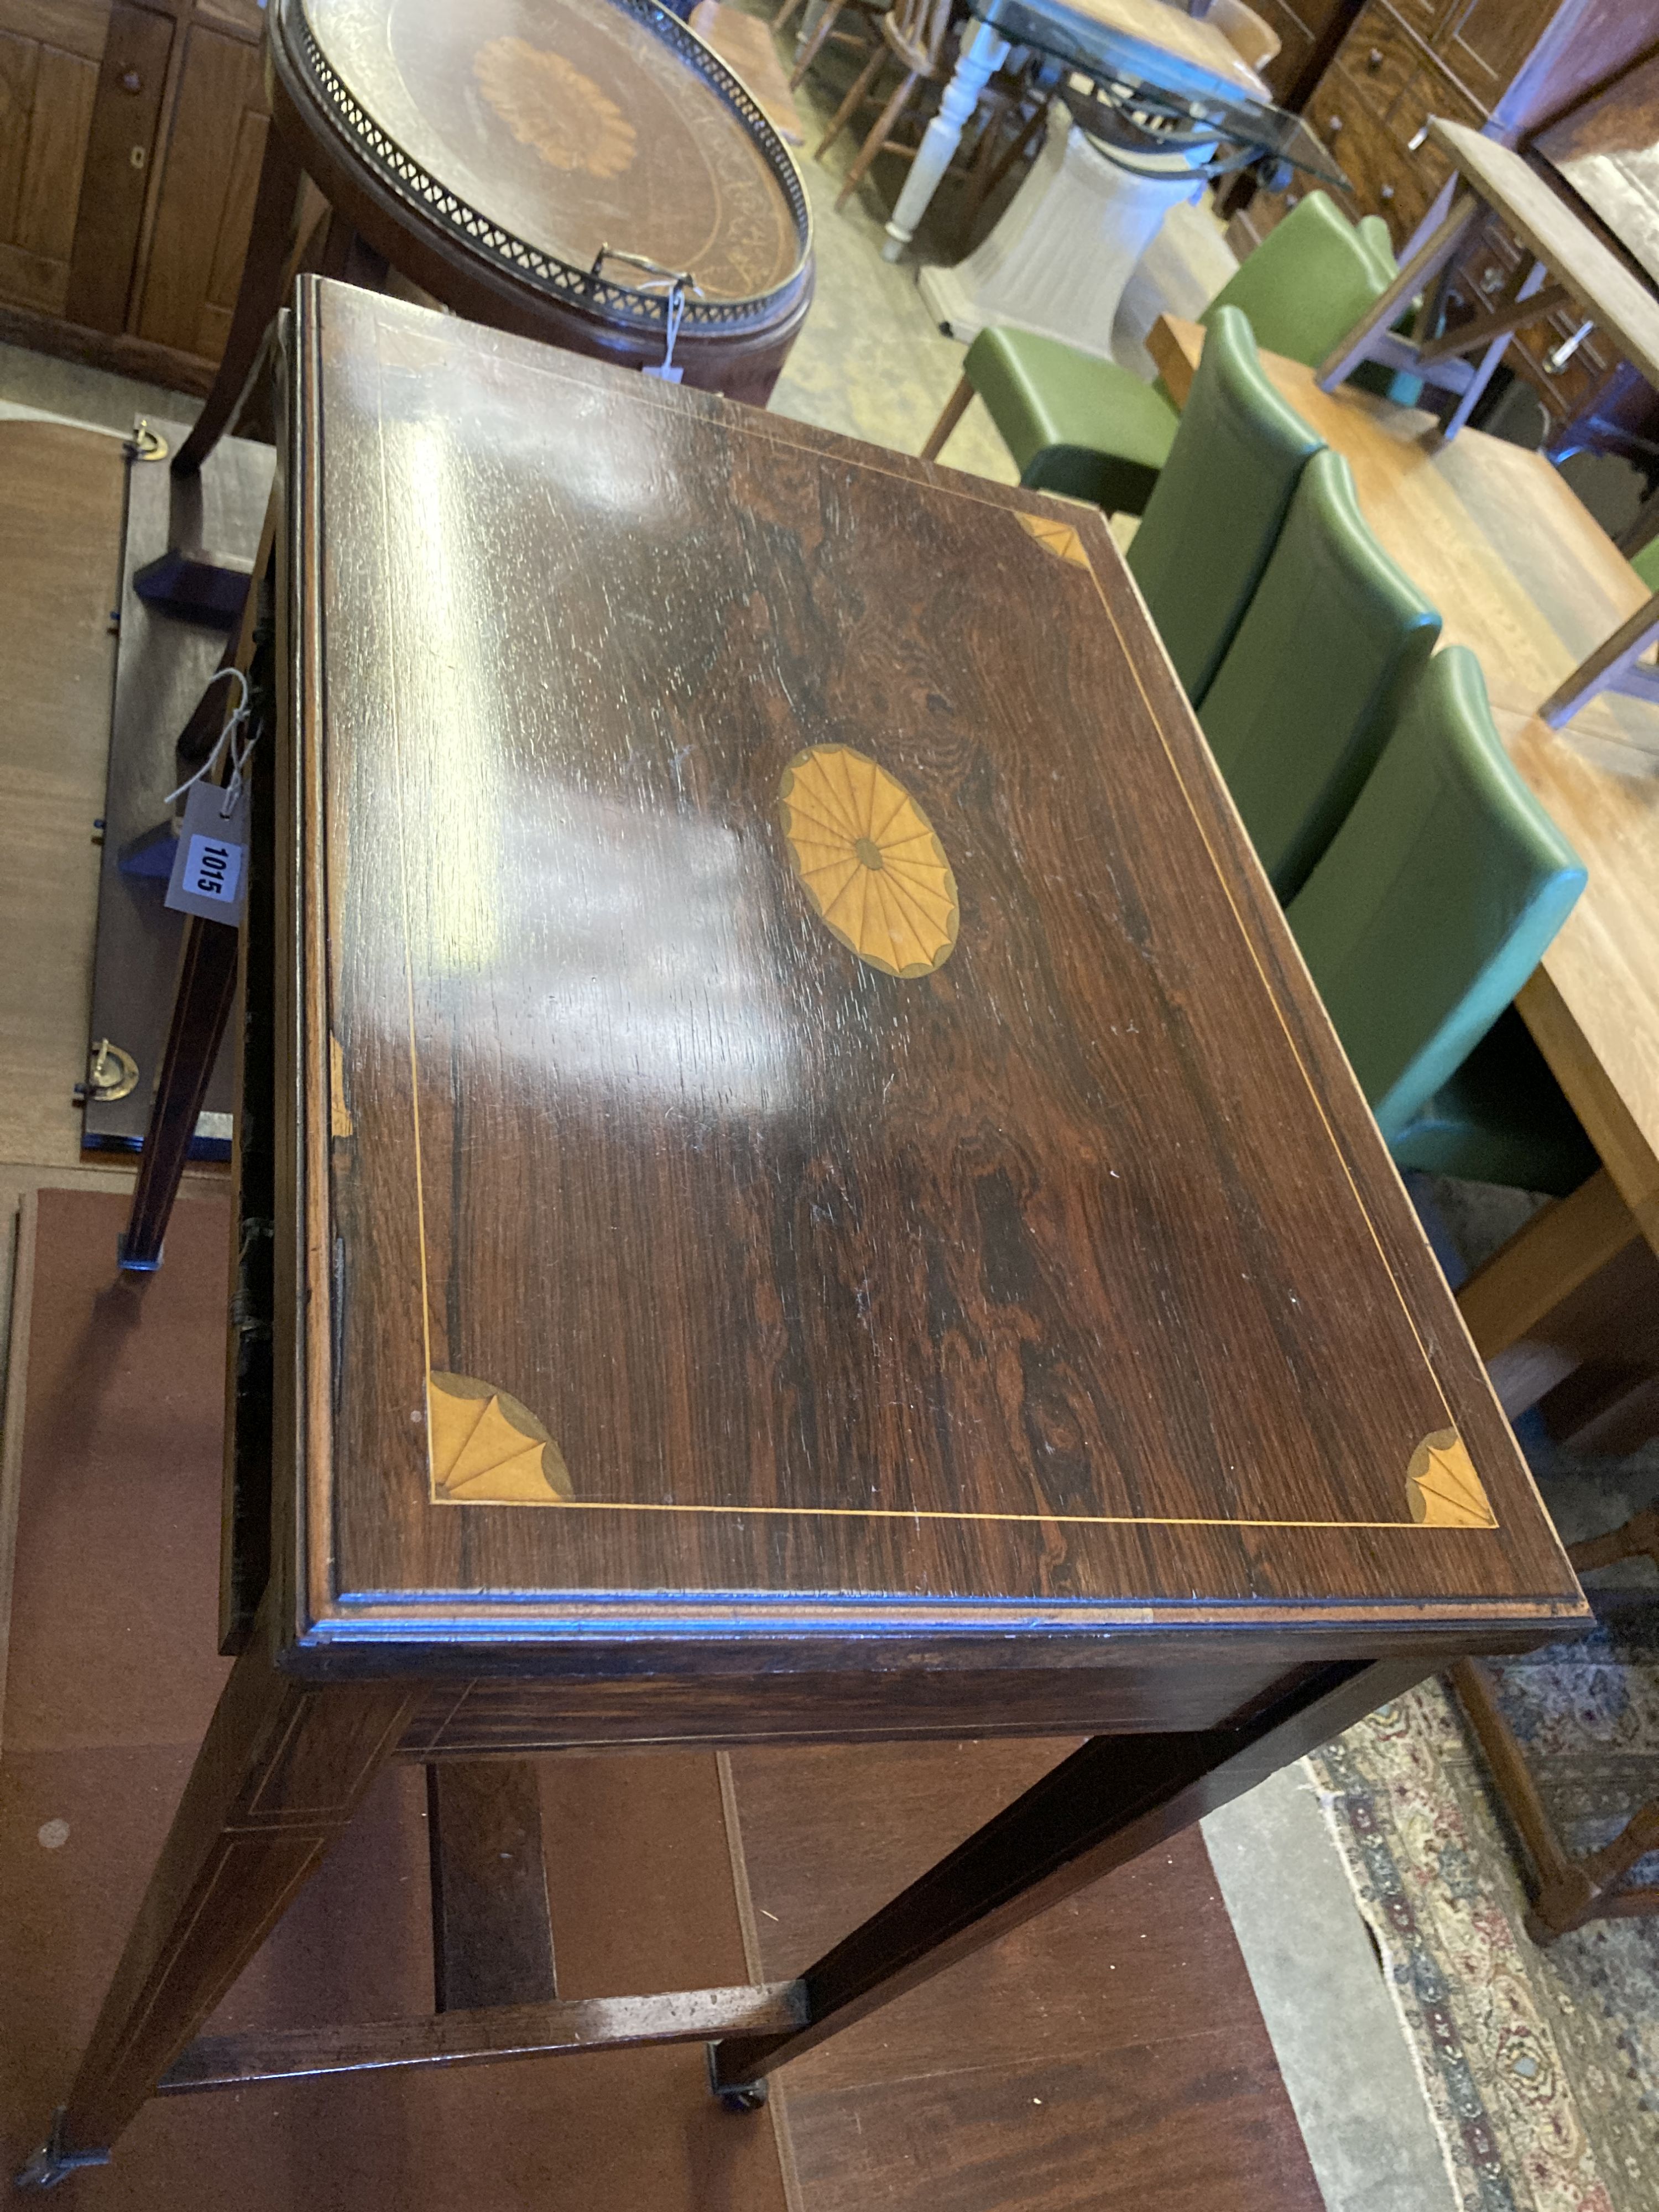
(1096, 432)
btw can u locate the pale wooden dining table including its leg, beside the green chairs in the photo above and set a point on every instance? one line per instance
(1525, 576)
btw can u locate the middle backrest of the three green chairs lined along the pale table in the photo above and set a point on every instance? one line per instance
(1315, 680)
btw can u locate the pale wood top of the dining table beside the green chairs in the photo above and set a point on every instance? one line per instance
(1530, 583)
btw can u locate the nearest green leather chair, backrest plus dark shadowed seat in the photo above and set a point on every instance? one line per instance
(1428, 912)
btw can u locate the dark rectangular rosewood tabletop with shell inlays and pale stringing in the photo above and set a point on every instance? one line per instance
(674, 1266)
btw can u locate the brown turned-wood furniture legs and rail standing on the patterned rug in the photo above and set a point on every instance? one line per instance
(1569, 1890)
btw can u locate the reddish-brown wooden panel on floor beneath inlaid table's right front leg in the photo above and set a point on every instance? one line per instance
(1109, 2054)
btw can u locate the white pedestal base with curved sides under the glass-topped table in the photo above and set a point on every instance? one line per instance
(1067, 244)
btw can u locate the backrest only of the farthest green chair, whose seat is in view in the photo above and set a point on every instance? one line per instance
(1311, 280)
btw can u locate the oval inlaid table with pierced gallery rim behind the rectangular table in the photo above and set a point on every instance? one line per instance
(494, 171)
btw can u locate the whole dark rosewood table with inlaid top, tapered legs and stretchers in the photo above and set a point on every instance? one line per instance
(811, 1200)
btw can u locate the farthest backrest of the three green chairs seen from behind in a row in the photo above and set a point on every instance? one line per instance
(1220, 499)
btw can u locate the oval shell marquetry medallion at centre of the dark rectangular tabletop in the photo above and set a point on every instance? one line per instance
(870, 862)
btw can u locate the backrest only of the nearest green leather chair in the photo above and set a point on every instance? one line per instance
(1437, 899)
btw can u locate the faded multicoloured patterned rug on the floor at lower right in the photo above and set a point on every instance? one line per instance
(1541, 2067)
